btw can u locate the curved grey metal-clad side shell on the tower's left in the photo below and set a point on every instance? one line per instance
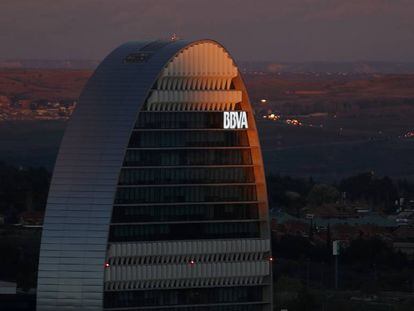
(76, 225)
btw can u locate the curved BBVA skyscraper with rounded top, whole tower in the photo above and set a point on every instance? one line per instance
(158, 198)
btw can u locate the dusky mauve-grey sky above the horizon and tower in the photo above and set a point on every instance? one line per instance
(277, 30)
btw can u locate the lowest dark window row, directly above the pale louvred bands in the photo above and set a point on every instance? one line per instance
(189, 231)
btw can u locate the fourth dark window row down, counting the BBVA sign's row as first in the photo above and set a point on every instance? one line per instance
(186, 176)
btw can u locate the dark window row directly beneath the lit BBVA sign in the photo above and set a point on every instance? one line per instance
(158, 139)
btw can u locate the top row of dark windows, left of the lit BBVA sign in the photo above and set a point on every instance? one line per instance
(180, 120)
